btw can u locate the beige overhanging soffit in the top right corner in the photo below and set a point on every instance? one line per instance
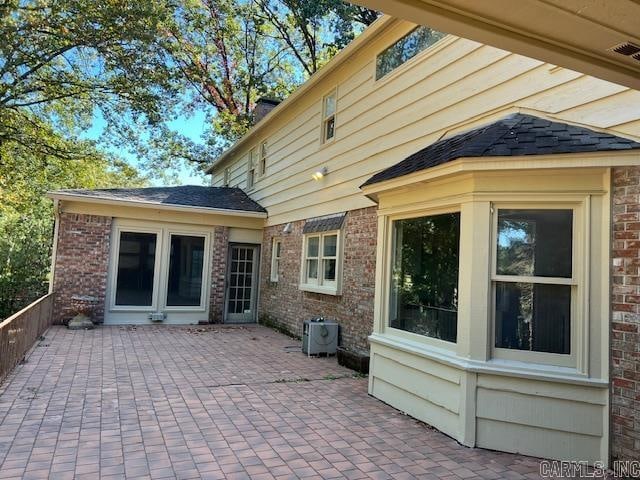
(576, 34)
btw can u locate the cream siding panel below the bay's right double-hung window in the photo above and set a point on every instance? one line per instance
(541, 418)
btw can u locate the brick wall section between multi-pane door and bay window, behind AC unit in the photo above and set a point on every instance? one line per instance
(283, 303)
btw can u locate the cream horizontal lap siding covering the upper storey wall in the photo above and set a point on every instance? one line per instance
(452, 86)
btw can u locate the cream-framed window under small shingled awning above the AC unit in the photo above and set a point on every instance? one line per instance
(321, 266)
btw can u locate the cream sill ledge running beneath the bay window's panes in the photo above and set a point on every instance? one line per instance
(508, 368)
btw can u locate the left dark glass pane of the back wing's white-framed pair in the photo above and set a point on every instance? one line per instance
(136, 264)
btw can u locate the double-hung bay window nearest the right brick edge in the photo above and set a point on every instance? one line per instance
(534, 282)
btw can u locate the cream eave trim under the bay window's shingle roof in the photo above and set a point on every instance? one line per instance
(505, 163)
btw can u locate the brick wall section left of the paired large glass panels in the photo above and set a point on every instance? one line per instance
(82, 259)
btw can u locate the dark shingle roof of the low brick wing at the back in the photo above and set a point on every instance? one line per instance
(187, 196)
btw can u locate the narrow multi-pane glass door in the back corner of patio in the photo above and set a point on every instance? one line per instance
(242, 276)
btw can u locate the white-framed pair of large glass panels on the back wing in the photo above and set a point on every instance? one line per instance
(158, 274)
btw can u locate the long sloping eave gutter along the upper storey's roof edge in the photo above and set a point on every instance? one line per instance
(374, 29)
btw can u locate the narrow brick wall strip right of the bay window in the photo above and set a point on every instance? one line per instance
(625, 329)
